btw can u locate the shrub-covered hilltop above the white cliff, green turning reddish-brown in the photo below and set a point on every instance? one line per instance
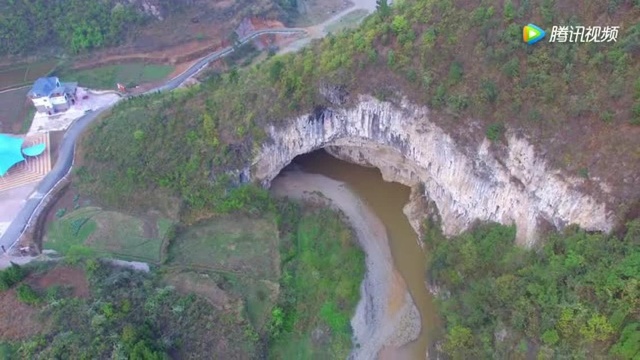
(579, 103)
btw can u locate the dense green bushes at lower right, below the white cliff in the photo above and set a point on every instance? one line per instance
(575, 297)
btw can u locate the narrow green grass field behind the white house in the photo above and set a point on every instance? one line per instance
(106, 77)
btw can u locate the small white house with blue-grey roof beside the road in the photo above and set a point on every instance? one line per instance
(49, 95)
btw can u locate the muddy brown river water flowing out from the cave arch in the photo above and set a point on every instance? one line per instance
(387, 201)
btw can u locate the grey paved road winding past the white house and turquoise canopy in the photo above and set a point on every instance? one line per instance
(67, 147)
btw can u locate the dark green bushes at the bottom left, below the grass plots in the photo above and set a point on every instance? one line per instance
(131, 315)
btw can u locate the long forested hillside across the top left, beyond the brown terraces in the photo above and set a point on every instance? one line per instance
(81, 26)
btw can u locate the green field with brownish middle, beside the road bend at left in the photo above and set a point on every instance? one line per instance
(107, 232)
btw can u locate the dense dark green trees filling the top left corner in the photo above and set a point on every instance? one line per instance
(76, 25)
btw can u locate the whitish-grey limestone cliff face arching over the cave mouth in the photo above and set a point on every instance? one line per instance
(514, 188)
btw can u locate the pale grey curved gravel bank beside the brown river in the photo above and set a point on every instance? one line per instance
(386, 317)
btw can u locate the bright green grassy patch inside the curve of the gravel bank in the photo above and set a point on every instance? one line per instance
(320, 289)
